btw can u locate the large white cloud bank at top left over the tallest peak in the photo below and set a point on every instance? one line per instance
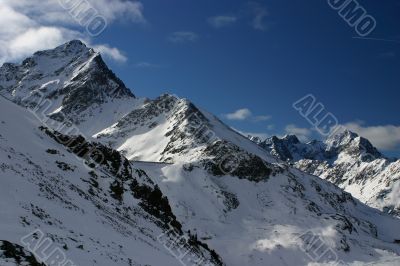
(31, 25)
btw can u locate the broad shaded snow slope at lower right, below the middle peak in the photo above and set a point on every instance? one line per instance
(270, 222)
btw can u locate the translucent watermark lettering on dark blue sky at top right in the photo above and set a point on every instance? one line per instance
(355, 15)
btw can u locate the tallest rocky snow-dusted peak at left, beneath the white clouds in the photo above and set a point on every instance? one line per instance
(73, 77)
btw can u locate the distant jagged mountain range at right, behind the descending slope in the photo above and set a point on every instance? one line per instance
(347, 160)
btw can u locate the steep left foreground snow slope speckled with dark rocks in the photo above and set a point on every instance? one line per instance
(102, 215)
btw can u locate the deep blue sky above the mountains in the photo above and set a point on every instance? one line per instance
(254, 59)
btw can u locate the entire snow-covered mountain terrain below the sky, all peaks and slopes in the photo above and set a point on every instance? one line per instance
(112, 179)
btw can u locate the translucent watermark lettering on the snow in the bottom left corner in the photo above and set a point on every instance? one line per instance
(45, 250)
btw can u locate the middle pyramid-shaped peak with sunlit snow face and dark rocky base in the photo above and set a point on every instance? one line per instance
(173, 130)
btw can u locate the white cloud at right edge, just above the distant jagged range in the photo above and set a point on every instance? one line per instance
(385, 137)
